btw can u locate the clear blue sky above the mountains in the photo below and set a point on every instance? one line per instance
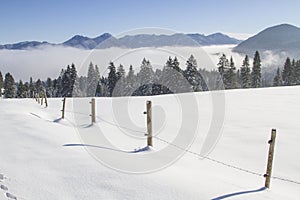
(58, 20)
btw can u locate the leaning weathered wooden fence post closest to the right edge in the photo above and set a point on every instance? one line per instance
(270, 158)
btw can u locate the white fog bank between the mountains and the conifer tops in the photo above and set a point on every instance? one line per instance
(48, 61)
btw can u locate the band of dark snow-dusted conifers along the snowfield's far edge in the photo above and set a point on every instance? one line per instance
(147, 81)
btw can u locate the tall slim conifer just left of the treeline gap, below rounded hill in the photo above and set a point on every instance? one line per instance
(256, 71)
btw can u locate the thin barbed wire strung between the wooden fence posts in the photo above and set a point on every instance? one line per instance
(193, 153)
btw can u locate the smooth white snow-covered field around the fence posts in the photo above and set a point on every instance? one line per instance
(43, 157)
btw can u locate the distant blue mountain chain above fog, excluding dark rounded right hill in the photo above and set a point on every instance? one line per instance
(106, 40)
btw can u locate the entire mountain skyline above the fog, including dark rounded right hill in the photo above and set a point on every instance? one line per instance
(283, 39)
